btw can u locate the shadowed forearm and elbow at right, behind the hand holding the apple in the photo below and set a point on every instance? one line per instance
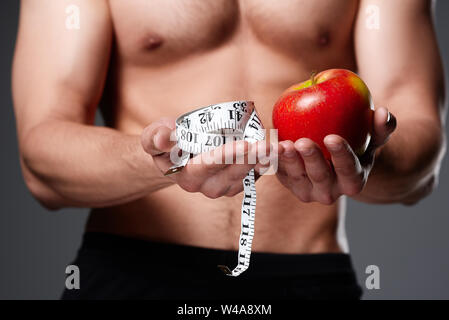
(406, 166)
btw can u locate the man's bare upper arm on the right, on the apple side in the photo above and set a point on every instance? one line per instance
(397, 56)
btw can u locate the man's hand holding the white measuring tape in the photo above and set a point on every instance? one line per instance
(210, 174)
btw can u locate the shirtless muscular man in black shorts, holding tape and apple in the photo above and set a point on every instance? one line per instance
(149, 61)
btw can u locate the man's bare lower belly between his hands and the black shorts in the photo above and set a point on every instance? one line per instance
(283, 224)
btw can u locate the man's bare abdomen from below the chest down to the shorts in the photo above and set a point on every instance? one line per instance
(144, 94)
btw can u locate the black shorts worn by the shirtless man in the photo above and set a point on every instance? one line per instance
(115, 267)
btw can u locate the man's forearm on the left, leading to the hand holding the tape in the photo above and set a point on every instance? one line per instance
(70, 164)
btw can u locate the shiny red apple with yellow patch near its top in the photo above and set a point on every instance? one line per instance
(335, 101)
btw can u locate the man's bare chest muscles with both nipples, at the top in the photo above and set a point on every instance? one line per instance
(161, 31)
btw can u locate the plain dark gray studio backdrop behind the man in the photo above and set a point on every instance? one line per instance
(409, 244)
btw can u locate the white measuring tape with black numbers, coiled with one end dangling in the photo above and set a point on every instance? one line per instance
(207, 128)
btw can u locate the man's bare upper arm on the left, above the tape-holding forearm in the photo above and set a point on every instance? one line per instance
(59, 72)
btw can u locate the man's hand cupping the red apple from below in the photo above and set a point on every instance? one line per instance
(304, 170)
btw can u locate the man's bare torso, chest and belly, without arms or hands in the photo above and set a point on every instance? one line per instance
(171, 56)
